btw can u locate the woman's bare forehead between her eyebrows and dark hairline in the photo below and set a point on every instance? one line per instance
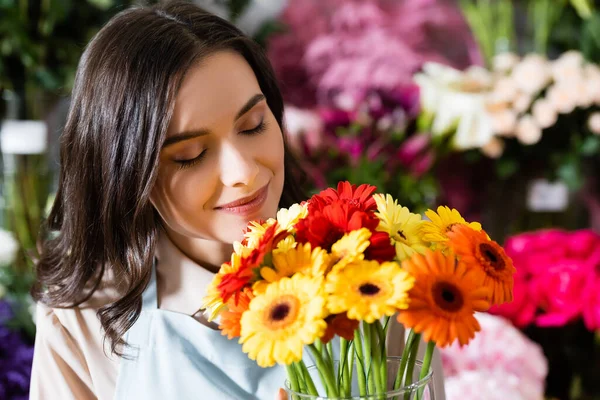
(213, 91)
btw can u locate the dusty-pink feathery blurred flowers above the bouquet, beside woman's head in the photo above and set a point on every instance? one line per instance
(352, 46)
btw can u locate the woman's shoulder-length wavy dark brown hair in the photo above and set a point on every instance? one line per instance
(122, 103)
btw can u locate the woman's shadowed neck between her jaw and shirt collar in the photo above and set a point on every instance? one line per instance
(209, 254)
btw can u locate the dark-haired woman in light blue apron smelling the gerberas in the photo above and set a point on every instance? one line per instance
(173, 143)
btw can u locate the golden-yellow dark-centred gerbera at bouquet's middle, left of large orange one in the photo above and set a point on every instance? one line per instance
(367, 290)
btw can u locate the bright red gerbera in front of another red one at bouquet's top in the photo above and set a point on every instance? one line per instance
(324, 228)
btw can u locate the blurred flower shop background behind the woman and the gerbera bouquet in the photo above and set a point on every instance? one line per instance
(489, 106)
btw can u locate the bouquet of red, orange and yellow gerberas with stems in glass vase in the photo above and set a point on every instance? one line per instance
(342, 264)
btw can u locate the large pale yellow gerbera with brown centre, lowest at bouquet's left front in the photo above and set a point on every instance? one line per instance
(290, 314)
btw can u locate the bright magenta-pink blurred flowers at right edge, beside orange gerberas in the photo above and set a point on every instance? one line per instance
(557, 275)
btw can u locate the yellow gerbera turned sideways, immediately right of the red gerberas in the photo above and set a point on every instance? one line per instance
(403, 226)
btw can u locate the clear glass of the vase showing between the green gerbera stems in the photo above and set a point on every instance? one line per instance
(419, 389)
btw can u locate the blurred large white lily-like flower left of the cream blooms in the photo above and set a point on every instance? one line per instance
(457, 100)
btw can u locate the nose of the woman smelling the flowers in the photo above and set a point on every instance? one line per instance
(238, 167)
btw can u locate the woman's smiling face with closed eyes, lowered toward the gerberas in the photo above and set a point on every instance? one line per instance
(222, 162)
